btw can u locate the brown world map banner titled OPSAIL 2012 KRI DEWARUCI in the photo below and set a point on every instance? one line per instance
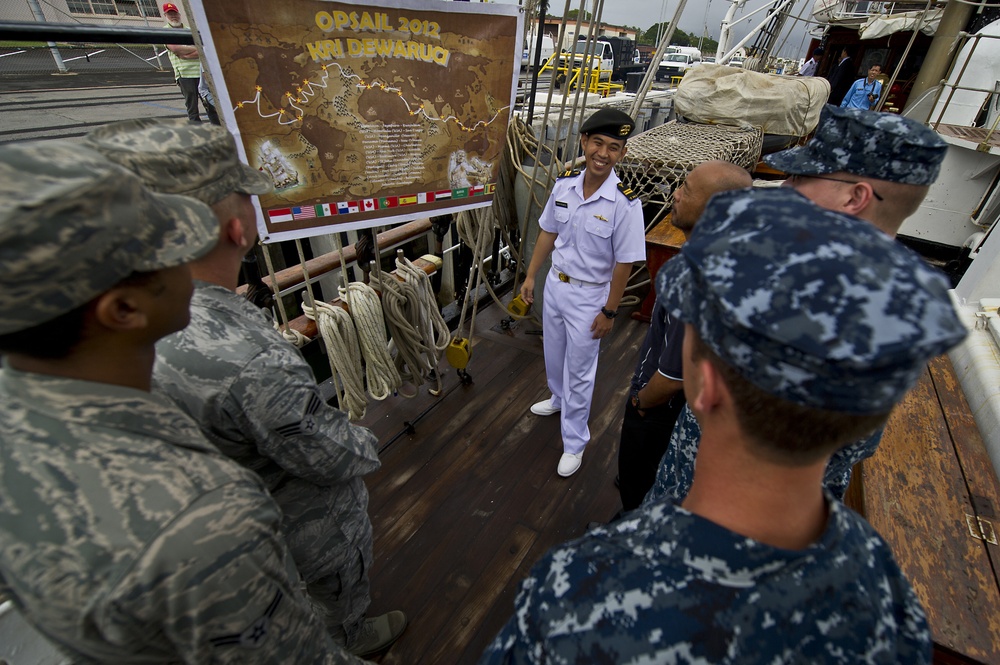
(364, 114)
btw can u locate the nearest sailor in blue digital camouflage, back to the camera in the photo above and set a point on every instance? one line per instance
(804, 328)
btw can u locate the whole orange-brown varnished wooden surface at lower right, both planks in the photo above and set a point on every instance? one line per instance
(931, 491)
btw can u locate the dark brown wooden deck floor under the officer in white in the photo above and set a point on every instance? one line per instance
(465, 504)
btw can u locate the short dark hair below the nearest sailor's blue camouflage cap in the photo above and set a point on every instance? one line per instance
(784, 432)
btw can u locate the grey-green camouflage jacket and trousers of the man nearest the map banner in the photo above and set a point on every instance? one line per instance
(257, 400)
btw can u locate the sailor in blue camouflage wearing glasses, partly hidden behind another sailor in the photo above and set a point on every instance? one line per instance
(875, 166)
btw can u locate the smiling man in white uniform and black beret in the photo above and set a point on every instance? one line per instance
(593, 227)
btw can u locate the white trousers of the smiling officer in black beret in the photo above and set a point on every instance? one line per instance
(571, 353)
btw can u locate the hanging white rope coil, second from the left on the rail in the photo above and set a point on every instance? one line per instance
(380, 370)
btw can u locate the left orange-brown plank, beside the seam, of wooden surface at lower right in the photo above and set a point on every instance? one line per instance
(915, 495)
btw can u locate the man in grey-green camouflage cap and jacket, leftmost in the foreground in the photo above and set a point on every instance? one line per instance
(125, 537)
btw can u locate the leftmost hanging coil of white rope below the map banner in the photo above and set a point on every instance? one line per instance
(341, 340)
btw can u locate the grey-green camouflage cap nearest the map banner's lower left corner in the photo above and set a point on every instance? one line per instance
(176, 157)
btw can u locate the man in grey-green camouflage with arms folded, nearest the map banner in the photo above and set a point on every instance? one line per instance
(252, 393)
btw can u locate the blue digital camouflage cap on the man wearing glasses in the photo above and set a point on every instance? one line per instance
(885, 146)
